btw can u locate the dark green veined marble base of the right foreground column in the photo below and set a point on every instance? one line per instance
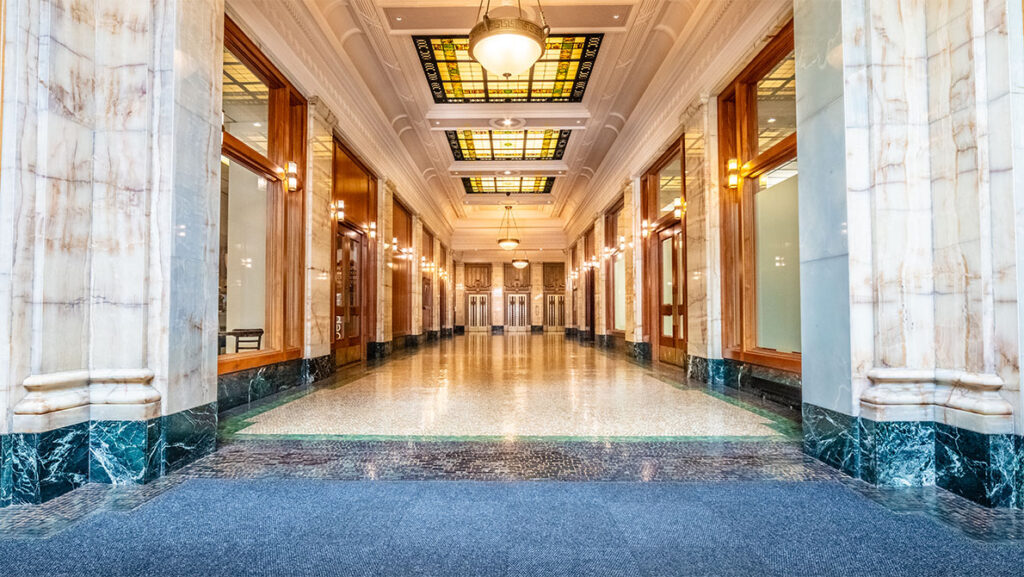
(986, 469)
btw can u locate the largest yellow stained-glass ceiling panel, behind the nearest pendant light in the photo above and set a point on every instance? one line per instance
(561, 75)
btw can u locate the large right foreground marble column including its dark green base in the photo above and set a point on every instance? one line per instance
(909, 249)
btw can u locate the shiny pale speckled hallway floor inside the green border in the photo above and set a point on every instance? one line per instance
(515, 386)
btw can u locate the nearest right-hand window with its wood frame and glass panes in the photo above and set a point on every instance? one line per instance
(759, 211)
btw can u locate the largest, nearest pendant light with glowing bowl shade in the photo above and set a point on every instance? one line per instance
(507, 47)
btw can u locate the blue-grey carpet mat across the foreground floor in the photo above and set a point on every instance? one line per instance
(317, 527)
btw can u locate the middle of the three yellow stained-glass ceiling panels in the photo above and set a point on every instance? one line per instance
(508, 145)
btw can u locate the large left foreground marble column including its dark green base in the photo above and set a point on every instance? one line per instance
(108, 255)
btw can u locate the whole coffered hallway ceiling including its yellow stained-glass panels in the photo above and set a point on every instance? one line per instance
(482, 142)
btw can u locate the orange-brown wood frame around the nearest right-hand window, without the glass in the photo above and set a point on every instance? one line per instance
(739, 140)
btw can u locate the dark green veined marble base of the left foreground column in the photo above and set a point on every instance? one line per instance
(37, 468)
